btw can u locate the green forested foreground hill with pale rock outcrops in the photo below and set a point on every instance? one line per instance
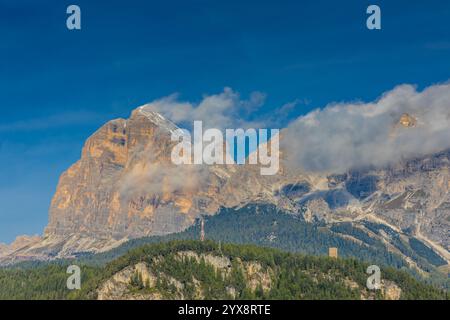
(209, 270)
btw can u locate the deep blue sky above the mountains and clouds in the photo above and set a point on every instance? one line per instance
(58, 86)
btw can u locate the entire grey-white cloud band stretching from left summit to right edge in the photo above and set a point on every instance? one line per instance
(338, 137)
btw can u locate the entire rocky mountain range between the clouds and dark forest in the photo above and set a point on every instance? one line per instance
(125, 186)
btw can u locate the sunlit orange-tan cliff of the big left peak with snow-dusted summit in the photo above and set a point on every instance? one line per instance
(125, 185)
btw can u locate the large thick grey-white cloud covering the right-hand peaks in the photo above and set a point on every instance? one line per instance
(348, 136)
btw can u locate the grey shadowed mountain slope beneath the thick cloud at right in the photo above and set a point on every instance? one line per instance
(412, 196)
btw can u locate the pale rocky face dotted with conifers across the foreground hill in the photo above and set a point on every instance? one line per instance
(158, 278)
